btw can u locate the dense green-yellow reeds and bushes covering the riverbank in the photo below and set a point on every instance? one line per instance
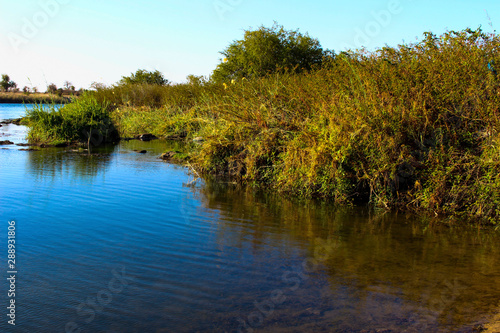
(407, 127)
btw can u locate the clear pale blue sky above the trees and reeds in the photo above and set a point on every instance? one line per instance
(86, 41)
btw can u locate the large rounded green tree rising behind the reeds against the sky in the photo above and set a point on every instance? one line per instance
(268, 50)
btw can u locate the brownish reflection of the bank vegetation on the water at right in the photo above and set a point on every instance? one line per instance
(389, 271)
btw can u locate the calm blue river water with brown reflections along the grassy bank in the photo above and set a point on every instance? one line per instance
(122, 242)
